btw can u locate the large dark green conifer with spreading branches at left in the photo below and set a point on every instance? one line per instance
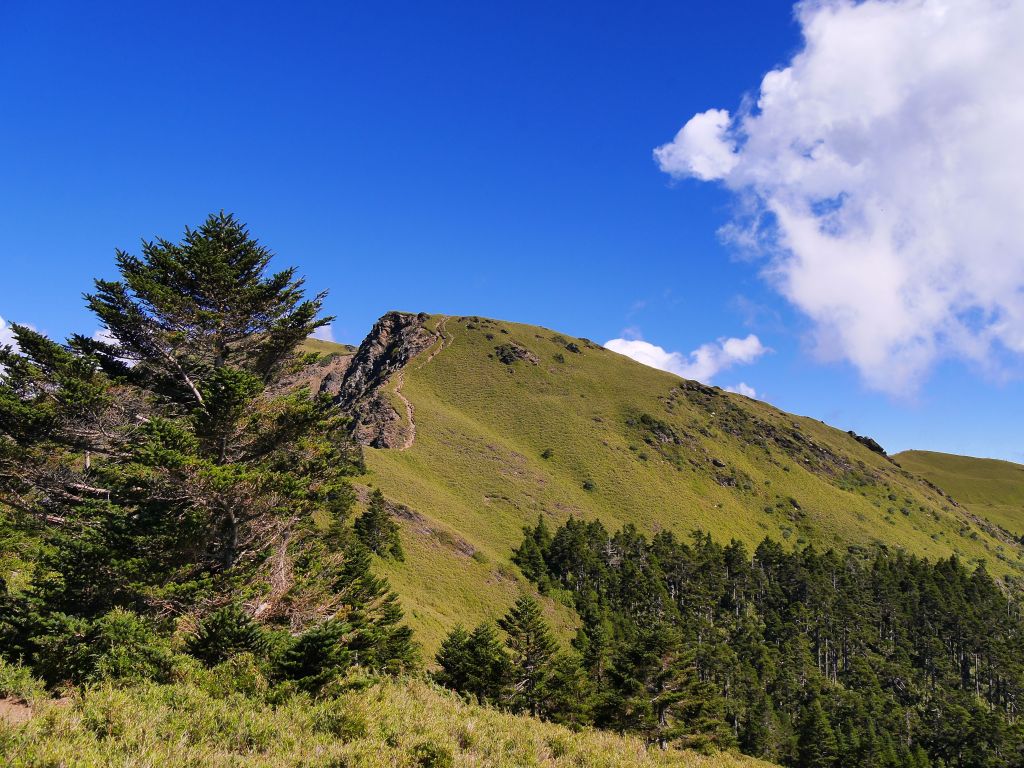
(169, 458)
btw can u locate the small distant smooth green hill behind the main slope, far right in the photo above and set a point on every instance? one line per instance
(990, 488)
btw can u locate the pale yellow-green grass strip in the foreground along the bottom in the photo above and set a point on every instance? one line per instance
(390, 723)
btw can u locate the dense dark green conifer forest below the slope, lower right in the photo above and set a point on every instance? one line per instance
(815, 660)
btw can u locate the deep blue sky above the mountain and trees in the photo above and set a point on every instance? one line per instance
(470, 158)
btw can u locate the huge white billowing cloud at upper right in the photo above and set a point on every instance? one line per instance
(881, 172)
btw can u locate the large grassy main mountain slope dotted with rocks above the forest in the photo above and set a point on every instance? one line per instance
(571, 429)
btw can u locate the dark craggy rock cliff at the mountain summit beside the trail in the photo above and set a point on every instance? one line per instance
(371, 387)
